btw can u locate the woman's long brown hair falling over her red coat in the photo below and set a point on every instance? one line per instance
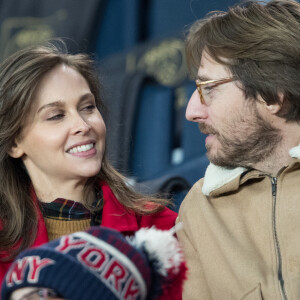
(19, 76)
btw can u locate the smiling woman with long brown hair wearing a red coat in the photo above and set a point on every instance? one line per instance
(55, 178)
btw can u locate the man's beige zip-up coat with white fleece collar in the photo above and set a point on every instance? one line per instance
(239, 239)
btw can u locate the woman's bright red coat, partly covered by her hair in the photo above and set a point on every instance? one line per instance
(114, 216)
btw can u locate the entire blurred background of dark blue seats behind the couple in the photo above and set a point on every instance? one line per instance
(139, 49)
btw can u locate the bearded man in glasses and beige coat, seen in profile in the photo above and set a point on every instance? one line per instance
(241, 222)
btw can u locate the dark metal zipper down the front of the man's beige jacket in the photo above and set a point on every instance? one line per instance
(280, 277)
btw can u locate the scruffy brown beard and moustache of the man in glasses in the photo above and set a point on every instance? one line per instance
(246, 141)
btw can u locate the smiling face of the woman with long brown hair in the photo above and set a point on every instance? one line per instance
(64, 138)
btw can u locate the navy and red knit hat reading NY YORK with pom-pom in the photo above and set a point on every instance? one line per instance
(100, 263)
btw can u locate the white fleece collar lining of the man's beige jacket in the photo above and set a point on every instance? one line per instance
(215, 176)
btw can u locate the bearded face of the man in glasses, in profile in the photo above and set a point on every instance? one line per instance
(238, 135)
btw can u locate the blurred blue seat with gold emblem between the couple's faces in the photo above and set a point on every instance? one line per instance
(149, 138)
